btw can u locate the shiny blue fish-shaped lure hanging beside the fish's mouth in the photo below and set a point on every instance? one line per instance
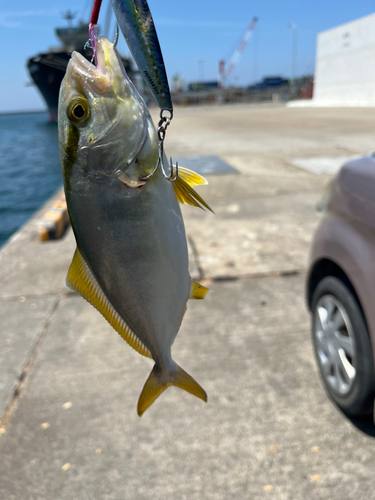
(137, 26)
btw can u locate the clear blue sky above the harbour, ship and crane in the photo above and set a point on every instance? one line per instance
(189, 32)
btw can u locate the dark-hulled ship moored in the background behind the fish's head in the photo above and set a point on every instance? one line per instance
(47, 69)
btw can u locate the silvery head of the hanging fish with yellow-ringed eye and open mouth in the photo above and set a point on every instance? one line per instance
(104, 124)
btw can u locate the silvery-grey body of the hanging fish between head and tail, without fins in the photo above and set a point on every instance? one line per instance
(134, 242)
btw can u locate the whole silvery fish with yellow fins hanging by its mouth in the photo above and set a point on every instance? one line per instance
(131, 260)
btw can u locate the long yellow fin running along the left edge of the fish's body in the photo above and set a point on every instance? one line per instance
(81, 280)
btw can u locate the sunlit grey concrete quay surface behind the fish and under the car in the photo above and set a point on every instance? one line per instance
(69, 384)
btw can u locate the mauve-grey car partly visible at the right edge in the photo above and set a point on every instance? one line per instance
(341, 288)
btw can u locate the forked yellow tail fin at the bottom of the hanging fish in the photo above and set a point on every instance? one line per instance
(158, 381)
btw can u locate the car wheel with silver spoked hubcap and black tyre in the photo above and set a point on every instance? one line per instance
(342, 347)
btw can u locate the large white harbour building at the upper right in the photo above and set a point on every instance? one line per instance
(345, 64)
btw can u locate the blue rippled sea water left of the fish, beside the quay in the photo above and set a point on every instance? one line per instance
(30, 169)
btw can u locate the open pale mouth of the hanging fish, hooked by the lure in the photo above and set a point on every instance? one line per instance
(97, 78)
